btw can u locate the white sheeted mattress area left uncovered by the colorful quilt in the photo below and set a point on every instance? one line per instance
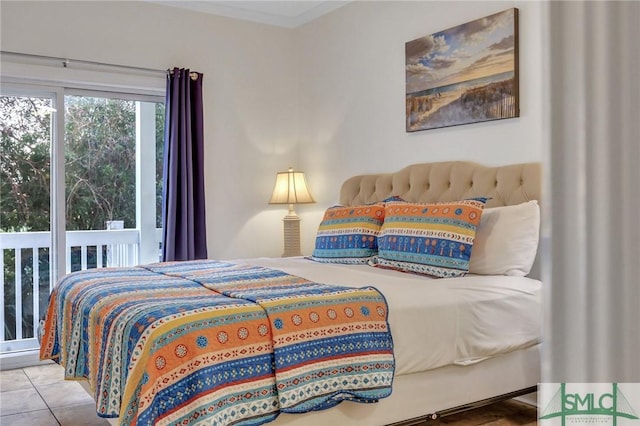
(439, 322)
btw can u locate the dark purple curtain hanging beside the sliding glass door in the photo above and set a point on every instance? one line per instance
(183, 207)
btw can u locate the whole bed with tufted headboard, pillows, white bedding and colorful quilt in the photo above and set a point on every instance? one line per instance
(422, 346)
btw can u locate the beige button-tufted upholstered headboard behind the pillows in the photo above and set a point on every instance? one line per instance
(447, 181)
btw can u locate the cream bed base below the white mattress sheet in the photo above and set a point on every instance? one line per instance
(420, 394)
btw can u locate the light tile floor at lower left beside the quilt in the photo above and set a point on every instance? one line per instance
(38, 396)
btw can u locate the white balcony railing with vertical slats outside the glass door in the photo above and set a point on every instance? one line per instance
(26, 282)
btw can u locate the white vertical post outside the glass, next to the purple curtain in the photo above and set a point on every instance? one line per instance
(146, 181)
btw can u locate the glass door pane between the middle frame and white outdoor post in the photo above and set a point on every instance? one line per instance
(100, 177)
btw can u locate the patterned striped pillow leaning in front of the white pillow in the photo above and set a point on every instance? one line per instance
(432, 239)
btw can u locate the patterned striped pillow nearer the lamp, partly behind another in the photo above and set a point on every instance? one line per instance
(349, 234)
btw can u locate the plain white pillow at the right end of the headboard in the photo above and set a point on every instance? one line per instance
(506, 240)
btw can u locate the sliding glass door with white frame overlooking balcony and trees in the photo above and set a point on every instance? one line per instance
(81, 188)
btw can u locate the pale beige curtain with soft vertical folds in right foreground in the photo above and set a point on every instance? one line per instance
(592, 268)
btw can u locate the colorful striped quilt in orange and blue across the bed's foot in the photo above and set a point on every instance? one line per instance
(215, 342)
